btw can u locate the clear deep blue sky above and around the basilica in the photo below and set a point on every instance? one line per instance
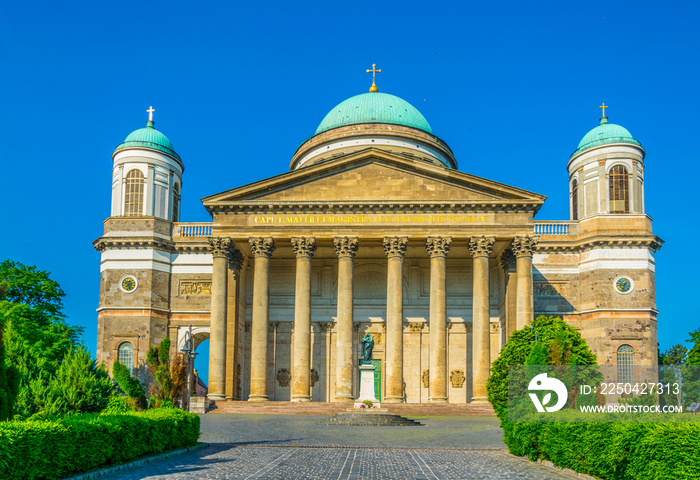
(512, 87)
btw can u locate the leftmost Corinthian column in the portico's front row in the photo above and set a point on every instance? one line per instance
(221, 250)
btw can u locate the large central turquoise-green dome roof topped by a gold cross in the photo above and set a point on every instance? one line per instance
(374, 107)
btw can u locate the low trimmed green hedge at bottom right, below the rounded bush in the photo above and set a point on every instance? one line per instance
(623, 450)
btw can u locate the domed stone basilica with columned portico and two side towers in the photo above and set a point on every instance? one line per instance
(374, 229)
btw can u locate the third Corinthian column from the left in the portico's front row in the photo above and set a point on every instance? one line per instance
(304, 248)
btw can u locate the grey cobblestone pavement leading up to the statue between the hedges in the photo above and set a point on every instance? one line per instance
(300, 447)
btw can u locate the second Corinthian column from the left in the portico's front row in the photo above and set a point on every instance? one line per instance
(262, 248)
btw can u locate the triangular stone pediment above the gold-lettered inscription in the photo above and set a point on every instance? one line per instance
(374, 176)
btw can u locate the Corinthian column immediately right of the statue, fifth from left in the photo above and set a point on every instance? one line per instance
(395, 248)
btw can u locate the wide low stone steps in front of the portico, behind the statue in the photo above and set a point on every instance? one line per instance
(328, 408)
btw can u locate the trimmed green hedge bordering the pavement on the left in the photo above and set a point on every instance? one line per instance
(49, 449)
